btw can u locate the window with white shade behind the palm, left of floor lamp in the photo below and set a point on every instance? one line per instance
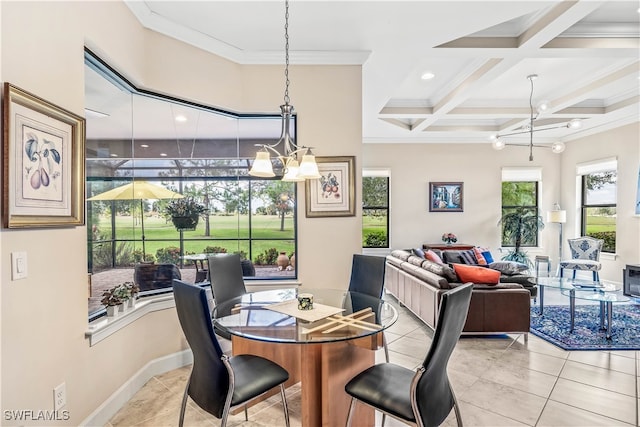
(520, 215)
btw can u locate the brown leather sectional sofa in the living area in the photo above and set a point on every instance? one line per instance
(419, 283)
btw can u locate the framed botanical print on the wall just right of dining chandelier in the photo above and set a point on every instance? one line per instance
(333, 194)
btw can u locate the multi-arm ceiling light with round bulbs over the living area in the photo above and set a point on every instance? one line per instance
(557, 147)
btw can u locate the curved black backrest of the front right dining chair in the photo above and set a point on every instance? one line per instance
(433, 393)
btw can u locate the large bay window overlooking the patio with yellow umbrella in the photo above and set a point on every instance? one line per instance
(189, 149)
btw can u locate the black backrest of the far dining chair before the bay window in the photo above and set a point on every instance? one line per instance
(225, 274)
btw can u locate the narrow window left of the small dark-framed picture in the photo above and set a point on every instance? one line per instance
(375, 209)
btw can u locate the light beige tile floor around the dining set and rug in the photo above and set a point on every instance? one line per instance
(499, 381)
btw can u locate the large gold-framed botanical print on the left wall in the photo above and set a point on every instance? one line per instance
(42, 162)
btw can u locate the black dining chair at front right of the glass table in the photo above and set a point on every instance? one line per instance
(423, 397)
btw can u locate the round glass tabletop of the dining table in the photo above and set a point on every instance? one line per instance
(358, 315)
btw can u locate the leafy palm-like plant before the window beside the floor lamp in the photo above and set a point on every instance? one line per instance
(518, 225)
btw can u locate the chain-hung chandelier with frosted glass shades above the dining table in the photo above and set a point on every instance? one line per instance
(292, 169)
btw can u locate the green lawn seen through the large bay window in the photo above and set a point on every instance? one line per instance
(160, 233)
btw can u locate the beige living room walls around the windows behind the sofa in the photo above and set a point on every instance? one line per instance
(413, 166)
